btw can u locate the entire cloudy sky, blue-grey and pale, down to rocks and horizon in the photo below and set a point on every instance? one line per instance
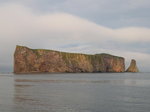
(118, 27)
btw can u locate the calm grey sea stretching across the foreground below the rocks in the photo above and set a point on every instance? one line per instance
(78, 92)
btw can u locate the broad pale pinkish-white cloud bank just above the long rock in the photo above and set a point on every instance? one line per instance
(21, 25)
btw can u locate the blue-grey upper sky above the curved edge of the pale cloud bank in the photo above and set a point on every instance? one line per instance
(114, 13)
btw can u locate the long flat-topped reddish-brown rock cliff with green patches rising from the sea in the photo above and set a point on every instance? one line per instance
(28, 60)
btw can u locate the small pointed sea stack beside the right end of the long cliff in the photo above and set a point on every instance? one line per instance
(133, 67)
